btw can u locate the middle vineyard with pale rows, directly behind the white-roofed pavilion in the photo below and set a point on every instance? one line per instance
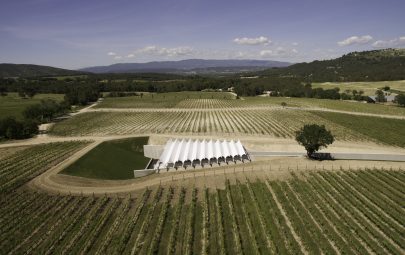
(274, 122)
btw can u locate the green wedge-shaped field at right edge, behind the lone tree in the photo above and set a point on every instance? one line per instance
(388, 131)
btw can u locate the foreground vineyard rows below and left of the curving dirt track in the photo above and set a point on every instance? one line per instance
(314, 212)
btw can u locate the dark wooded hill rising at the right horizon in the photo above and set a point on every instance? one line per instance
(375, 65)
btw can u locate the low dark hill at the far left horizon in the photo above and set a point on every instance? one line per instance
(26, 70)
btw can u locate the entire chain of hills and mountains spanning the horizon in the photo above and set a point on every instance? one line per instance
(376, 65)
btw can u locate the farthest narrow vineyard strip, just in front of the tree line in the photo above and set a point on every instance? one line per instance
(217, 100)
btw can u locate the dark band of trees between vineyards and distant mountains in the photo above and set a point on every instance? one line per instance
(84, 89)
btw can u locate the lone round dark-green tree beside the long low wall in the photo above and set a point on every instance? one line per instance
(314, 137)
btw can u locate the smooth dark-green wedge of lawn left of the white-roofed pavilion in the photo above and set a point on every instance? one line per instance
(111, 160)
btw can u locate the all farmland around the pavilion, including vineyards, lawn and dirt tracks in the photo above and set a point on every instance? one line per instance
(267, 206)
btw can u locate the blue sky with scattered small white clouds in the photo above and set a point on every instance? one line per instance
(80, 33)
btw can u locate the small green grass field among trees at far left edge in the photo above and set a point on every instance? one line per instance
(13, 105)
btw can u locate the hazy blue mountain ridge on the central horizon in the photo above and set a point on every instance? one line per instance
(189, 66)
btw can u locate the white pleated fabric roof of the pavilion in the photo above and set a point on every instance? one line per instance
(184, 150)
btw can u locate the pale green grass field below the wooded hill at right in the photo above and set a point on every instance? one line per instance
(369, 88)
